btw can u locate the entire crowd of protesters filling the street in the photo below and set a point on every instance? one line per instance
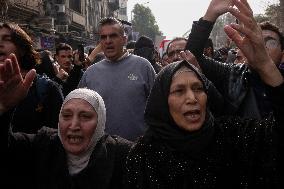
(122, 116)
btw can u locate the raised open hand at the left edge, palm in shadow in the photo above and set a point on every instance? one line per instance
(13, 88)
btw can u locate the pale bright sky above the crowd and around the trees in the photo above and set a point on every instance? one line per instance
(174, 17)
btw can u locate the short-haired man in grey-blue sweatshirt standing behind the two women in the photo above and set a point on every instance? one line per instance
(122, 79)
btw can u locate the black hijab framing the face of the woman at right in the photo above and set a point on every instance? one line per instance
(160, 123)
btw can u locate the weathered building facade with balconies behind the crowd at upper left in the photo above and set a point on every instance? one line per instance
(52, 21)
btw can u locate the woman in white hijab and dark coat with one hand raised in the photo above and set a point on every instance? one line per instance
(77, 155)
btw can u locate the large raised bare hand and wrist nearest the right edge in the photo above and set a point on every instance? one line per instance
(248, 37)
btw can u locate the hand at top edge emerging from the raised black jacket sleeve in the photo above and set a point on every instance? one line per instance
(217, 8)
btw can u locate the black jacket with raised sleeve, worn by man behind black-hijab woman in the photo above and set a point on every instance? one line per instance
(242, 88)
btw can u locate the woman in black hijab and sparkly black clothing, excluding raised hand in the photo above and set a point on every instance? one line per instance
(186, 147)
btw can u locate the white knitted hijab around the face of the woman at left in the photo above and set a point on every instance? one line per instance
(76, 163)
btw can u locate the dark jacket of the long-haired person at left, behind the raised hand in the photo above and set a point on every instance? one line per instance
(39, 108)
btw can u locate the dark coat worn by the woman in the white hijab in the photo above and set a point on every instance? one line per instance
(39, 161)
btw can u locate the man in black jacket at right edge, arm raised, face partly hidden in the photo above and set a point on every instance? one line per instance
(239, 84)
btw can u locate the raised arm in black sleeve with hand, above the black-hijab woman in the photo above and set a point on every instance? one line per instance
(220, 74)
